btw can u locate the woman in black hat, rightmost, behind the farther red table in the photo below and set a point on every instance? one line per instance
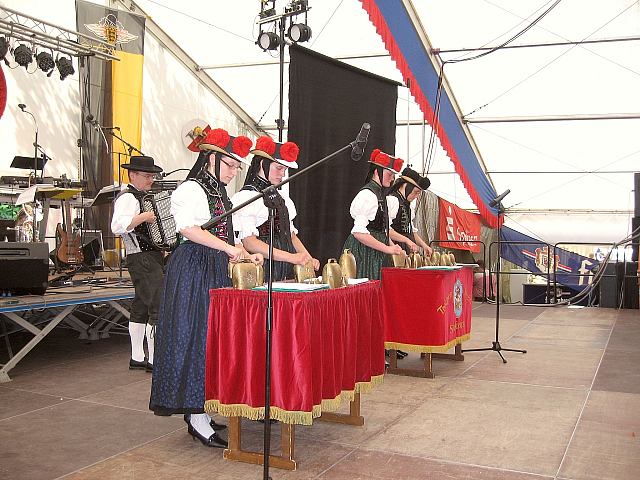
(404, 191)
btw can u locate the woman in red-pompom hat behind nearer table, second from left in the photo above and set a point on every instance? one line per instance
(269, 165)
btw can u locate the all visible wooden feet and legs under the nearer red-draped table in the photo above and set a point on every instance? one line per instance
(285, 460)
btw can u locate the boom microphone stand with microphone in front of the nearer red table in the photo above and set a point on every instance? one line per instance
(268, 194)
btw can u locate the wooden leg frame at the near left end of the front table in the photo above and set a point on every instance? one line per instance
(235, 452)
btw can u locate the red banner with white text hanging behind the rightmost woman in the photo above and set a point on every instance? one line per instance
(458, 228)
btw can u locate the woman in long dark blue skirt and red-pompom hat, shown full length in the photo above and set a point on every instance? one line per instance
(198, 264)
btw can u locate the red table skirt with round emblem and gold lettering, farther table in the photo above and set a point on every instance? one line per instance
(426, 310)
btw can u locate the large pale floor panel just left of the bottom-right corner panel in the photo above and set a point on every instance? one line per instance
(516, 427)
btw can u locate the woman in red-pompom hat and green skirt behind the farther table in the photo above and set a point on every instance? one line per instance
(369, 239)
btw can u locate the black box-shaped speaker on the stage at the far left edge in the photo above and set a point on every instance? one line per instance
(24, 267)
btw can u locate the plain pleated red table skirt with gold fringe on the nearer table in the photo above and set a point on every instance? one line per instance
(326, 345)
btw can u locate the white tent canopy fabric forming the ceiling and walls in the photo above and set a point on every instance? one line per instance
(556, 170)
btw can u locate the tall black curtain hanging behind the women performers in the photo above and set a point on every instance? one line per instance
(328, 103)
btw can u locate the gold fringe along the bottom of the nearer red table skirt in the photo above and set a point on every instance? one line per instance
(287, 416)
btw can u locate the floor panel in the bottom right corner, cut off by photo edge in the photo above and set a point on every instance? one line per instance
(606, 445)
